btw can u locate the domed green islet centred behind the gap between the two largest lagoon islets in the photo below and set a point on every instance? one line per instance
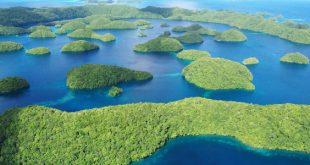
(160, 44)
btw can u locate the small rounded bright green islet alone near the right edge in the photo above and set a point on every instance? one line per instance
(295, 58)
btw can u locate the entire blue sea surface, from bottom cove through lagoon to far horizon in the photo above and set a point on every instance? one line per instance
(275, 82)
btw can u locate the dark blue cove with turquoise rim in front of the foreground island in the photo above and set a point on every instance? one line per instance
(213, 150)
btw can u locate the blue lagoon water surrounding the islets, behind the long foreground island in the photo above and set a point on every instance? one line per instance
(275, 82)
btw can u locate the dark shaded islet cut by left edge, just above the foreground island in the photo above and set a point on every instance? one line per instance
(12, 84)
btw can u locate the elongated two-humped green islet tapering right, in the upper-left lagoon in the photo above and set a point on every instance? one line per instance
(87, 33)
